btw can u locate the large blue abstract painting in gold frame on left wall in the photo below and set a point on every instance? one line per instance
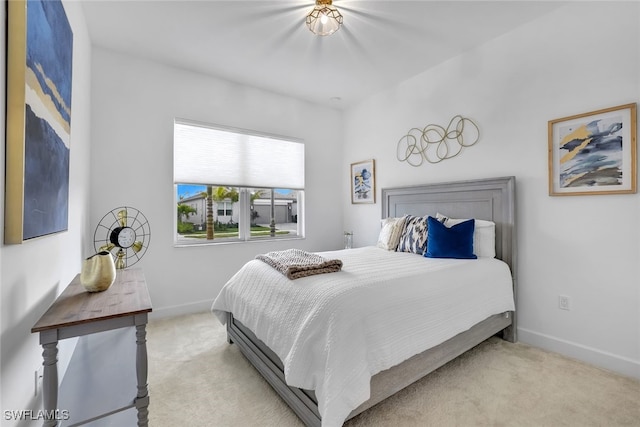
(39, 80)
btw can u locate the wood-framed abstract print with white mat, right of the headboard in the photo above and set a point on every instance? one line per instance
(593, 153)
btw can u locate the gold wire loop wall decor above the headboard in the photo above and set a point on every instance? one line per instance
(435, 143)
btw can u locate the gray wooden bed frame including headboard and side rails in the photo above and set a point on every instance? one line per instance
(489, 199)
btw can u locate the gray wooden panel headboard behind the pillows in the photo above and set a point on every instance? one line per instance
(490, 199)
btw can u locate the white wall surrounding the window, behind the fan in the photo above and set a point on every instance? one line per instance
(134, 103)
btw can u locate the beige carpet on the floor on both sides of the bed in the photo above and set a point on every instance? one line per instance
(197, 379)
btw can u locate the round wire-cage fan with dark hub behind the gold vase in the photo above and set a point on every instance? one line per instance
(125, 233)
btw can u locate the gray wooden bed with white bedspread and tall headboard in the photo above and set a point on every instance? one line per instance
(485, 199)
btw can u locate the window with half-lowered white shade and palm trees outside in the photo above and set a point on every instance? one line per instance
(234, 185)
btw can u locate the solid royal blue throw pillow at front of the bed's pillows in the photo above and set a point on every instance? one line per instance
(450, 242)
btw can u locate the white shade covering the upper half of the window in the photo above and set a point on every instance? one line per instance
(208, 155)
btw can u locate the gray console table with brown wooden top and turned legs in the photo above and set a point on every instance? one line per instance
(77, 312)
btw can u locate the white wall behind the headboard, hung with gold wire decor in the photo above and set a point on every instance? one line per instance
(582, 57)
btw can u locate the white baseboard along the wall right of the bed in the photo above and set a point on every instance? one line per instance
(599, 358)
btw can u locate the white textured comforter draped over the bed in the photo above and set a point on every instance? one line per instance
(334, 331)
